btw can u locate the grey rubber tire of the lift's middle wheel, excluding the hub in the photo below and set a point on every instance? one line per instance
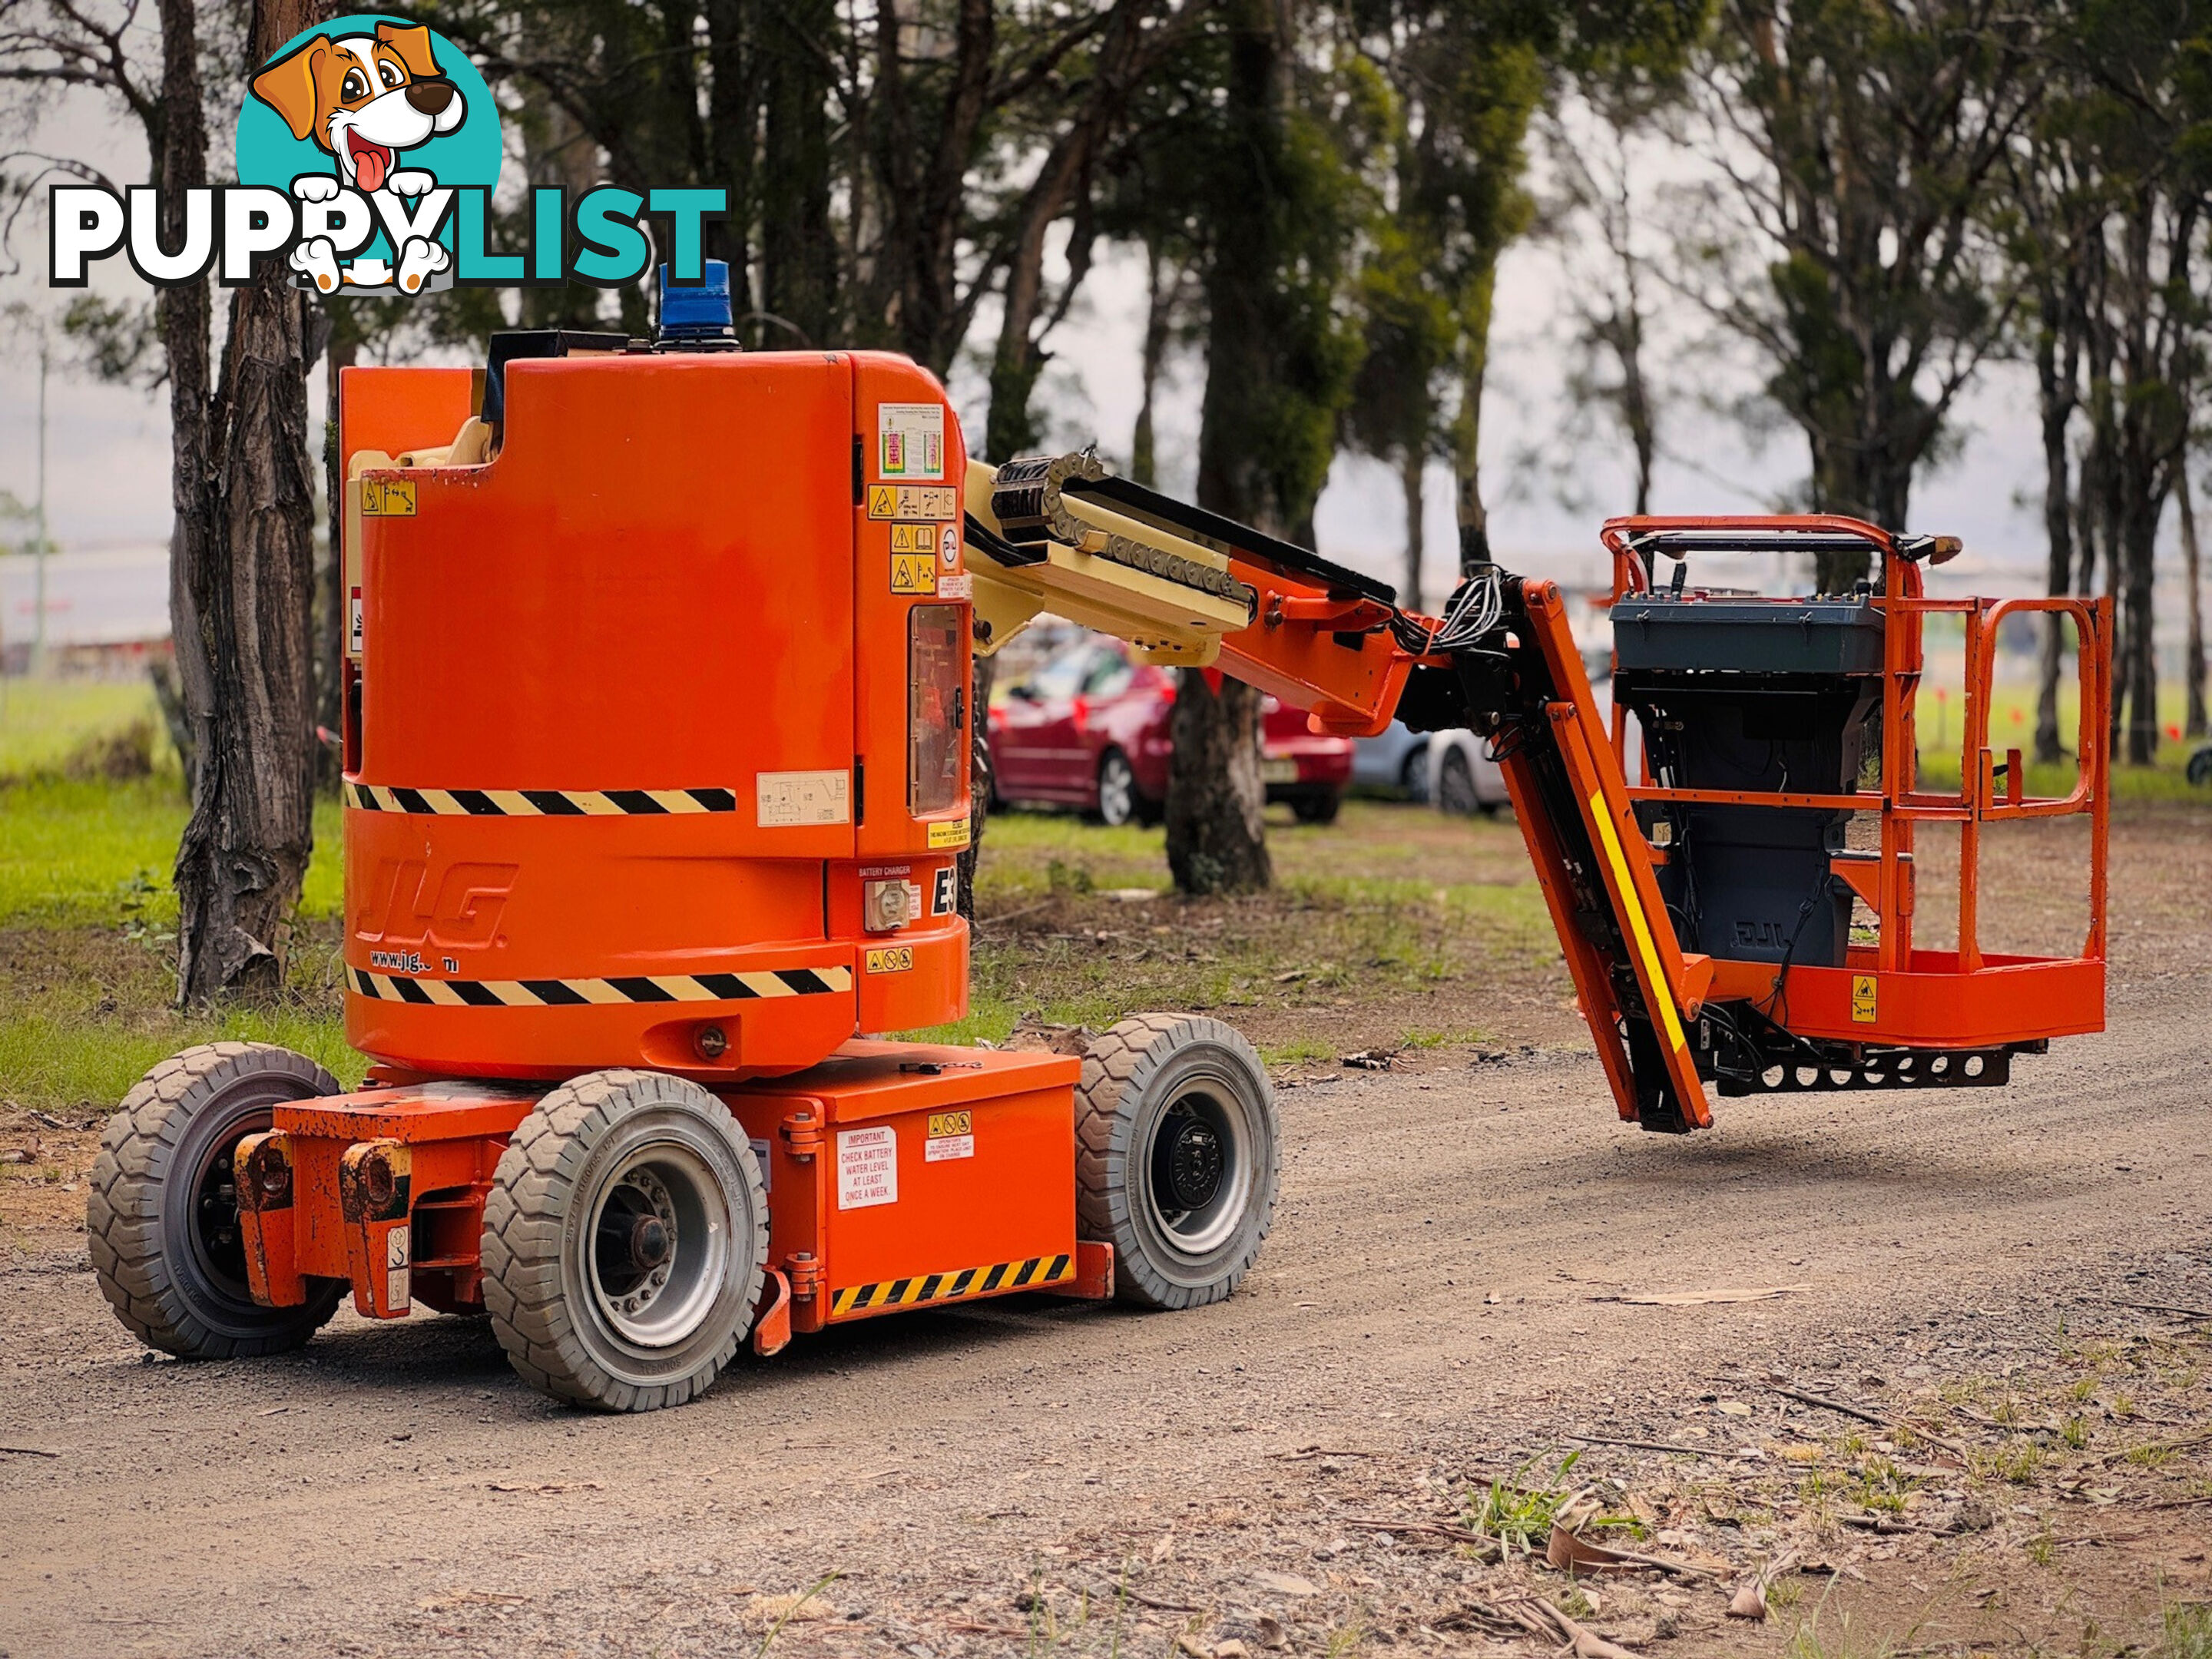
(539, 1233)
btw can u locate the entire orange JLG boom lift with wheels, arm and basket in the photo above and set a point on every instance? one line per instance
(656, 771)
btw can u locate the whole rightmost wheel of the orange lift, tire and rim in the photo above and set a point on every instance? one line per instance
(1176, 1158)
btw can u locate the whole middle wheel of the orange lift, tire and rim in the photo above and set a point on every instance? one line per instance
(625, 1242)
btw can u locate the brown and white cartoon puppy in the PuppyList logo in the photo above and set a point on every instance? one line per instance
(366, 101)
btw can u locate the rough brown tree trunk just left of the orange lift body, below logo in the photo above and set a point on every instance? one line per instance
(253, 811)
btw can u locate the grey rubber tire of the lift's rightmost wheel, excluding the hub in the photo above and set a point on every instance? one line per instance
(1134, 1076)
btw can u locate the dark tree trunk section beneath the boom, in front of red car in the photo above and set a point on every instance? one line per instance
(1218, 842)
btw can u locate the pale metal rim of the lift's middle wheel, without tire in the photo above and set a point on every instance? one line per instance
(658, 1246)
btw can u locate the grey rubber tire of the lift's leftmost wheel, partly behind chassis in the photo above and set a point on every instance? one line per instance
(176, 1280)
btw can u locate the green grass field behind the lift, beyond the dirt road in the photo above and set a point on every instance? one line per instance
(1392, 928)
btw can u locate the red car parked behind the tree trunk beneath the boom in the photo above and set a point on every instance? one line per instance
(1089, 729)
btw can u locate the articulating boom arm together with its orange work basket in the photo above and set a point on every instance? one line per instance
(1786, 1005)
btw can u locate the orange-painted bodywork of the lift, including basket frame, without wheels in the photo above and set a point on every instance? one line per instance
(645, 709)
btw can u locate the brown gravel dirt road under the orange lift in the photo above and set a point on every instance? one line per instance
(1439, 1304)
